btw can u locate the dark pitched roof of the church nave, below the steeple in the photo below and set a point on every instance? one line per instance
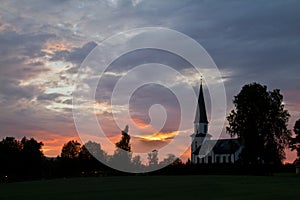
(223, 146)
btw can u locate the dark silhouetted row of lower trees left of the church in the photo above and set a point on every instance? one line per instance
(24, 159)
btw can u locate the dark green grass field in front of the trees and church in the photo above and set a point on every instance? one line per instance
(157, 187)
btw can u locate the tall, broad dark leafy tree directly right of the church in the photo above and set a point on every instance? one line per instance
(260, 121)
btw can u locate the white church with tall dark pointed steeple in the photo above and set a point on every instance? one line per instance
(203, 148)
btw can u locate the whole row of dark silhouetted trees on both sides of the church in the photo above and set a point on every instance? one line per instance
(259, 120)
